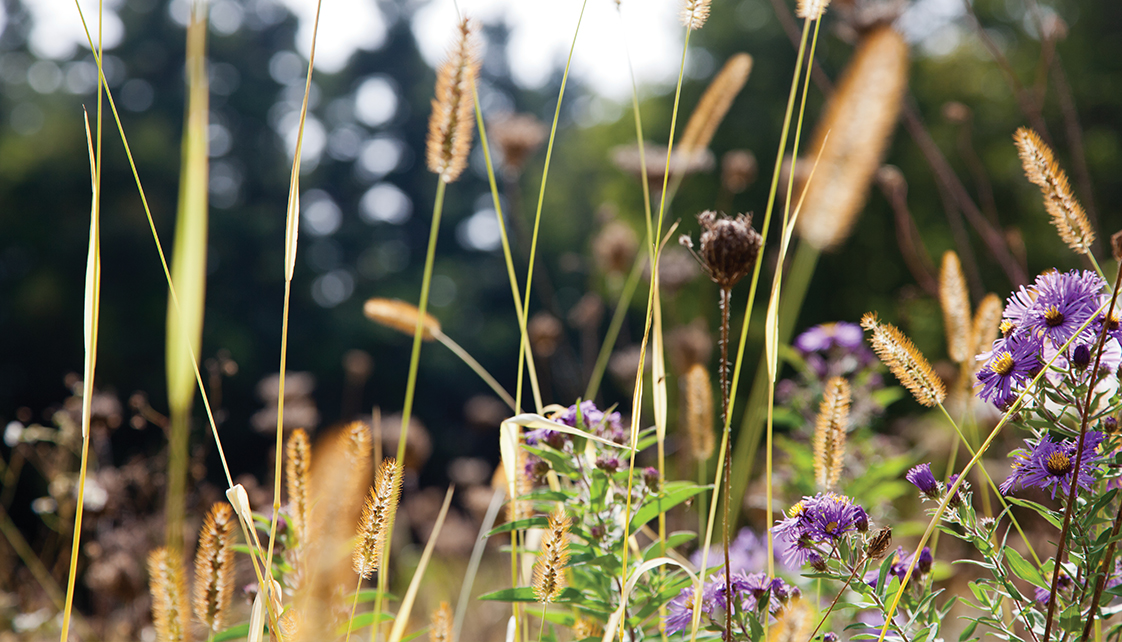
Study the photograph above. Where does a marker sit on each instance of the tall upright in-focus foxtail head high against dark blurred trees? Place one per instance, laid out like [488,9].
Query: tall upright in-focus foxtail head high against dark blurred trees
[452,124]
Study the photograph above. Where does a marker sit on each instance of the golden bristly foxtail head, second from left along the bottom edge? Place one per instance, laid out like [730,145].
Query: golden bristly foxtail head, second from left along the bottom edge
[214,591]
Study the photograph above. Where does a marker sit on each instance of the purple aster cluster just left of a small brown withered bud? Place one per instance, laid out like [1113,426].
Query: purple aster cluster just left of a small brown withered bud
[815,526]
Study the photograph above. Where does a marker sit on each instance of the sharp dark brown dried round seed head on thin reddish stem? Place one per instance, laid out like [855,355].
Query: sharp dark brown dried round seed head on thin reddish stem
[730,247]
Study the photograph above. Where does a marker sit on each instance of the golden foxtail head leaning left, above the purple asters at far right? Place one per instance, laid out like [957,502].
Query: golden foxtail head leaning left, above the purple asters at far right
[1068,215]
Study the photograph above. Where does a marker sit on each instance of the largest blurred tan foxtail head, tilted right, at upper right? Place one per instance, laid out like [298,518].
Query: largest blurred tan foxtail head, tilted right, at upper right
[859,120]
